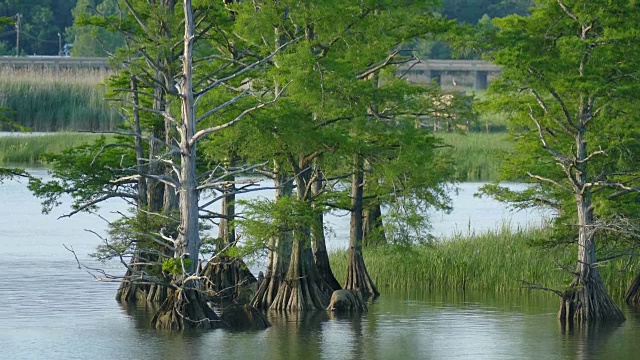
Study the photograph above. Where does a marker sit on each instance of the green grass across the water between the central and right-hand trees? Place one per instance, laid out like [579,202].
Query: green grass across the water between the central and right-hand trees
[476,155]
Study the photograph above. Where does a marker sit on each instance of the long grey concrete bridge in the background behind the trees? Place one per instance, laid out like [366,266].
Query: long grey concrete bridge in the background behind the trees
[421,71]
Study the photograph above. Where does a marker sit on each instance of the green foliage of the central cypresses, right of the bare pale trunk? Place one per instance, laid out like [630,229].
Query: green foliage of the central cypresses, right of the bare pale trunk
[332,109]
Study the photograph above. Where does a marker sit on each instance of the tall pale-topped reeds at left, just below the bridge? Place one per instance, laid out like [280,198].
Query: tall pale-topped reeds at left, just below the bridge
[56,100]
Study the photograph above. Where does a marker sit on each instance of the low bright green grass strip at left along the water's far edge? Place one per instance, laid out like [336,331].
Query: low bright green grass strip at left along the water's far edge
[27,149]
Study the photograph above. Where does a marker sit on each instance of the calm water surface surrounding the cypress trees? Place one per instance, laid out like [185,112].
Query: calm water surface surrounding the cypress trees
[53,310]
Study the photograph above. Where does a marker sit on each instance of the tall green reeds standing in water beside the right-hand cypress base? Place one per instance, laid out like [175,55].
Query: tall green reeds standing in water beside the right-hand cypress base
[494,262]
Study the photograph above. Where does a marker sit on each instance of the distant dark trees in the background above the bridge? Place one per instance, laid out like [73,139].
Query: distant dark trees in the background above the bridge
[42,20]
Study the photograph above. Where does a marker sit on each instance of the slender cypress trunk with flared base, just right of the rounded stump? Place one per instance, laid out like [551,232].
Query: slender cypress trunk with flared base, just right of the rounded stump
[357,275]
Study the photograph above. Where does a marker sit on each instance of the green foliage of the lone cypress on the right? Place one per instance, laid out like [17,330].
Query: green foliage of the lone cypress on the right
[554,68]
